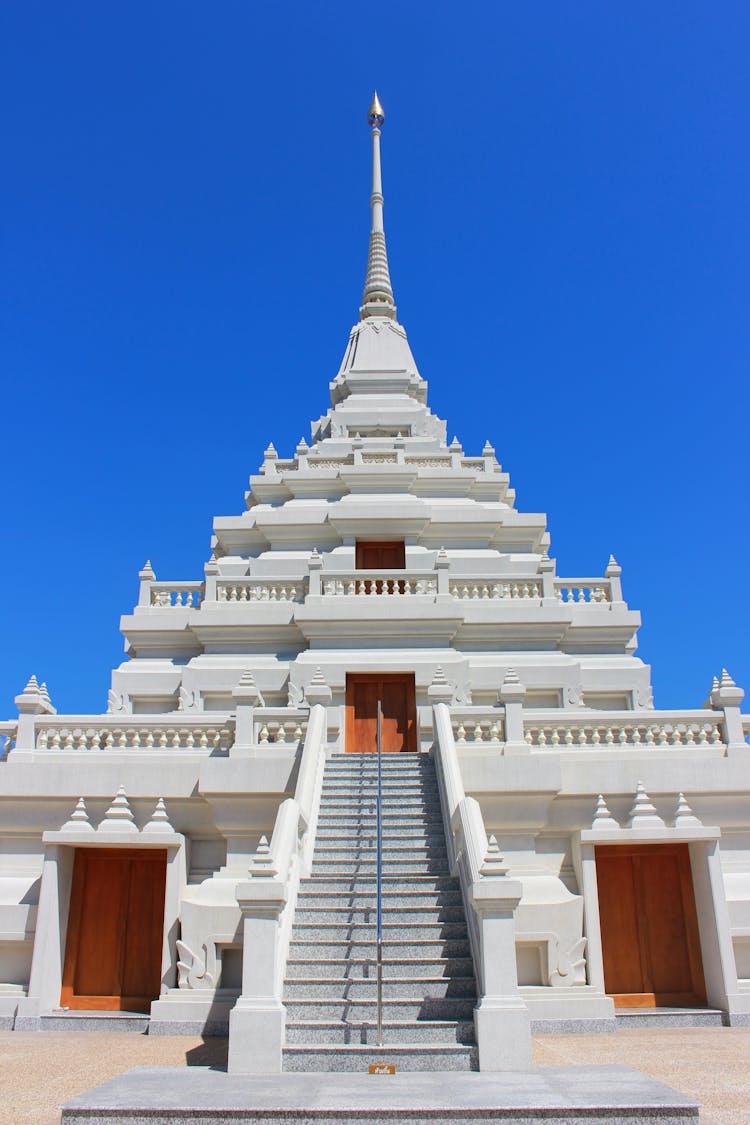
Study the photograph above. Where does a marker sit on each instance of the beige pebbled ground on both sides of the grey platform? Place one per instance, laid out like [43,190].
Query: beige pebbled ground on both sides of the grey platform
[40,1072]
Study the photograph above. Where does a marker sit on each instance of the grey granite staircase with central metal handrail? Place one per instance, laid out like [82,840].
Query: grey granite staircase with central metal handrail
[429,984]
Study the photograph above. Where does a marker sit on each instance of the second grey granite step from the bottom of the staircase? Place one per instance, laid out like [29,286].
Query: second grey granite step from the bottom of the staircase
[348,1032]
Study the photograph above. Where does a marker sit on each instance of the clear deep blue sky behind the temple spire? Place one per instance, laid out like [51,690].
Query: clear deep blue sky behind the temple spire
[185,212]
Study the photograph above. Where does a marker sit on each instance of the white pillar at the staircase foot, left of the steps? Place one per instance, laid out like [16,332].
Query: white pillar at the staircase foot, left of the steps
[257,1022]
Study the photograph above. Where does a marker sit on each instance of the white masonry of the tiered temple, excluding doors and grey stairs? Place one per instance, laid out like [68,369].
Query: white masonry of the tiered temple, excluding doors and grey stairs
[530,695]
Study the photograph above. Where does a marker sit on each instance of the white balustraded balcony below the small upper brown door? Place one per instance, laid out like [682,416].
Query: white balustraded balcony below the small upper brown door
[400,606]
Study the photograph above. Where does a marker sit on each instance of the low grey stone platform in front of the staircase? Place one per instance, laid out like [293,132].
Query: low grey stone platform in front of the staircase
[201,1096]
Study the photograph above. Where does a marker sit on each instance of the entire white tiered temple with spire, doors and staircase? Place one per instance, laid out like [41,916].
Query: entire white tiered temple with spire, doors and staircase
[557,853]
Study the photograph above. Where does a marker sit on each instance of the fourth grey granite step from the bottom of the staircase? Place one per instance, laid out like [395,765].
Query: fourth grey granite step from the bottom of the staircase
[394,988]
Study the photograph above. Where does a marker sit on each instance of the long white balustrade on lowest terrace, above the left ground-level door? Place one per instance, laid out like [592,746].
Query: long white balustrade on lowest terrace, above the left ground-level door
[87,733]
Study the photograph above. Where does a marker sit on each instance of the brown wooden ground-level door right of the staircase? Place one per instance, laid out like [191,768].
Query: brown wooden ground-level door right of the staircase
[650,942]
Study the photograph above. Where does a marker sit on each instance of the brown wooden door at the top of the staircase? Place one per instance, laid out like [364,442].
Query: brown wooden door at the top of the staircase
[399,727]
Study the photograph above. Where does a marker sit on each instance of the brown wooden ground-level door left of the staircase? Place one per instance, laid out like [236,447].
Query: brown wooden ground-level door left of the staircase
[114,950]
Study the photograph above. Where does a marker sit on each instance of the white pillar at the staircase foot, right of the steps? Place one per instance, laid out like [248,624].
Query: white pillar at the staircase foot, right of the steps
[501,1019]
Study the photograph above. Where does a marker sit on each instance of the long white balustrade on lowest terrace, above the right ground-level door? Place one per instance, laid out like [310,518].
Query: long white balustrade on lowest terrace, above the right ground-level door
[625,728]
